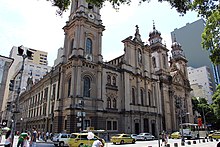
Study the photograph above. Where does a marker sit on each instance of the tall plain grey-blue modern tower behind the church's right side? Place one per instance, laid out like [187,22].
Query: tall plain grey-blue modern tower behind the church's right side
[189,36]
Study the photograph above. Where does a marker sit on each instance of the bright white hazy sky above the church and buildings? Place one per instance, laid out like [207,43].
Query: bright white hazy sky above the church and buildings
[34,24]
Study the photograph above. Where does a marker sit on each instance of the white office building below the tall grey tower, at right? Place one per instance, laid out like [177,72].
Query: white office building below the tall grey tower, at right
[200,81]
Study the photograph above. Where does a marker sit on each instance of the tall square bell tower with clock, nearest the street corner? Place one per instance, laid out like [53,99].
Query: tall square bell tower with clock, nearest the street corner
[83,32]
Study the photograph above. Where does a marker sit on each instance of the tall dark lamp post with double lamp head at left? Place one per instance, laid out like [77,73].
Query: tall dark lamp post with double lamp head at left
[16,101]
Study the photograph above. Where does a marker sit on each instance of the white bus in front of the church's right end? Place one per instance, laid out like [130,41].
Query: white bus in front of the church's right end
[192,131]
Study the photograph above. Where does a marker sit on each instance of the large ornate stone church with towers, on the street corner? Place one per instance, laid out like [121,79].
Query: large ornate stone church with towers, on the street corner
[139,91]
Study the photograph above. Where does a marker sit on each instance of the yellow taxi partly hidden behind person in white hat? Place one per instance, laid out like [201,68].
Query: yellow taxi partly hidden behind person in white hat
[81,140]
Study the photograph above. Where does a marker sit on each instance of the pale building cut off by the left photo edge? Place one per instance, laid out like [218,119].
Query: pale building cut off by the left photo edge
[5,64]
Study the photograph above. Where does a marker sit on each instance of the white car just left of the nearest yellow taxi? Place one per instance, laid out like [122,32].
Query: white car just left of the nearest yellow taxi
[61,139]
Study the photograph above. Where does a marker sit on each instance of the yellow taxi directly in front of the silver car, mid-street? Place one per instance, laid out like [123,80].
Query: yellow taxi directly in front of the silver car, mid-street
[122,138]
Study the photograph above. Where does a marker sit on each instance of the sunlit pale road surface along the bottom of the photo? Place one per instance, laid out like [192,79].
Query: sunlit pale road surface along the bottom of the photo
[152,144]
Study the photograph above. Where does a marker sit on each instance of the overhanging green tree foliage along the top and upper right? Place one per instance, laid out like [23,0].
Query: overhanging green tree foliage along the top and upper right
[208,9]
